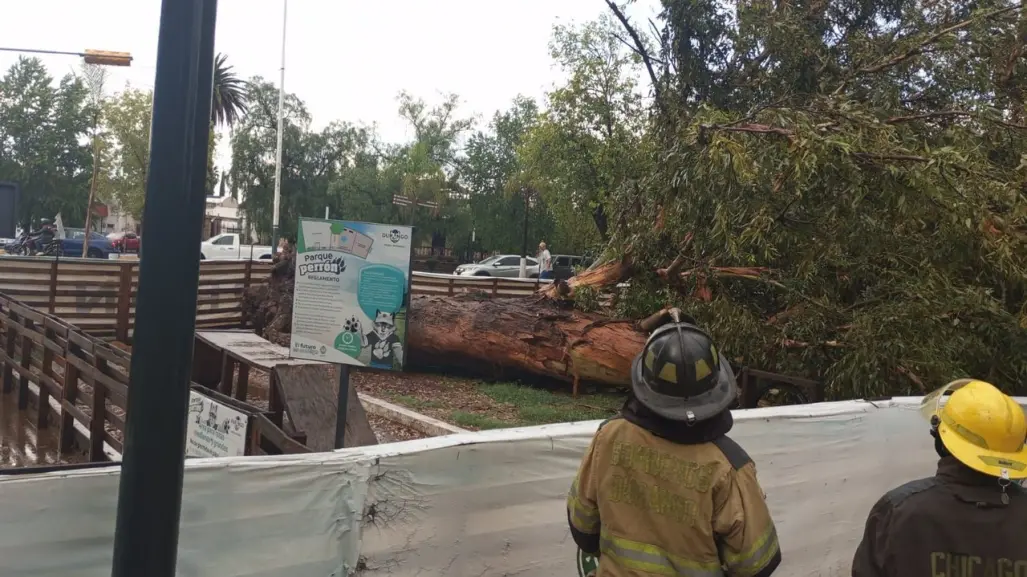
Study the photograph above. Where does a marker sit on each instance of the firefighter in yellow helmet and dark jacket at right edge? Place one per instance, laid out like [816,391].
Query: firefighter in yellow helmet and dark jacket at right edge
[971,518]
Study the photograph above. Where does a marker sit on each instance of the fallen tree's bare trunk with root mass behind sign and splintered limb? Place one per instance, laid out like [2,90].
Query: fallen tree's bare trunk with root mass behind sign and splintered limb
[534,336]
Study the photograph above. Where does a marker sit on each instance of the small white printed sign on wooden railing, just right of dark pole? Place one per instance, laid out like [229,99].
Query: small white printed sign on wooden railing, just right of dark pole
[215,430]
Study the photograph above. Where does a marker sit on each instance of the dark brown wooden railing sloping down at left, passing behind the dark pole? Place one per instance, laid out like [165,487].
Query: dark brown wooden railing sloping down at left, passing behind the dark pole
[63,377]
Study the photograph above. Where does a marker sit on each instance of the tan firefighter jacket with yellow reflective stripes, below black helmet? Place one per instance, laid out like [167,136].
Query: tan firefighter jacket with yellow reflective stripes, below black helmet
[683,502]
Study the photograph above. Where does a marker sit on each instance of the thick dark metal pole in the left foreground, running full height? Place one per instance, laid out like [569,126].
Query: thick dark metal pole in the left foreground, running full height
[150,494]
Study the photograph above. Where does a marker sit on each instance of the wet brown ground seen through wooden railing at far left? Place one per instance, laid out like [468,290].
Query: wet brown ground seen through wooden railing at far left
[21,444]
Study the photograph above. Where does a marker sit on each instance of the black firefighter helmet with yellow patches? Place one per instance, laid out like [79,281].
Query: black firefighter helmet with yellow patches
[681,376]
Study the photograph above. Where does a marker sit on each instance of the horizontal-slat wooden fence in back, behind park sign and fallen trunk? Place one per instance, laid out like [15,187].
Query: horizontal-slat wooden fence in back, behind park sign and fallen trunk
[100,296]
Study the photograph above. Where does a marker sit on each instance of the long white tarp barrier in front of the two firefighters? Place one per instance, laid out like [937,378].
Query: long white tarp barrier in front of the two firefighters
[478,505]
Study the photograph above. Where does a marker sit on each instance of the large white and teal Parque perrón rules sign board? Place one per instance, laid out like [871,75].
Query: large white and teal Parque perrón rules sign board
[352,293]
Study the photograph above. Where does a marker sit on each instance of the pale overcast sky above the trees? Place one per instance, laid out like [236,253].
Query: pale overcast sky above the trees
[347,59]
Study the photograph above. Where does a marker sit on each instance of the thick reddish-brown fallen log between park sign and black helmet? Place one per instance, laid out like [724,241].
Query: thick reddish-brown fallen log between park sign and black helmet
[523,336]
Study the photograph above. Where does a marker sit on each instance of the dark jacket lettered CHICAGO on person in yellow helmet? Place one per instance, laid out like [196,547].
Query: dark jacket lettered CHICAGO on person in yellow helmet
[952,525]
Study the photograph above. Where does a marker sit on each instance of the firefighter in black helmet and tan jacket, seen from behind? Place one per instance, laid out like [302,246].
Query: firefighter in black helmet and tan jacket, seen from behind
[662,490]
